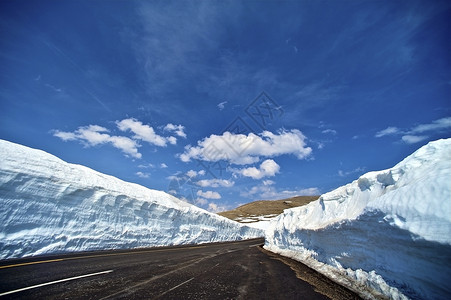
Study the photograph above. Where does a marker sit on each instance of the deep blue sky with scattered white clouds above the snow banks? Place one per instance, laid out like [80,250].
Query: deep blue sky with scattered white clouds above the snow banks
[226,102]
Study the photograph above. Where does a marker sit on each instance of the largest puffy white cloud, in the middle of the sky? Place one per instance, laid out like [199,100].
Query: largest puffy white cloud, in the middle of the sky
[246,149]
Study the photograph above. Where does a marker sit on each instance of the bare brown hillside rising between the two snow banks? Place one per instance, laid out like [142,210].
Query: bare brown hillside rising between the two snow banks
[267,207]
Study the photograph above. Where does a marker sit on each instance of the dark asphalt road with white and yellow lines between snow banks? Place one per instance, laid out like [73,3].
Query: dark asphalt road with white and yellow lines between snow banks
[235,270]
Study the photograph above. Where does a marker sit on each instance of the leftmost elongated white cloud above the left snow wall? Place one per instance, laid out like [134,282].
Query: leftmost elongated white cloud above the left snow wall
[94,135]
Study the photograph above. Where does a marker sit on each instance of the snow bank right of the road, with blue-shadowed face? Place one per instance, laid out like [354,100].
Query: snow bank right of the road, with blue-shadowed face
[387,234]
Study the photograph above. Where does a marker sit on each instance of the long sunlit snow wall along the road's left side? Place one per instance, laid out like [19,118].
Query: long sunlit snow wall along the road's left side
[48,205]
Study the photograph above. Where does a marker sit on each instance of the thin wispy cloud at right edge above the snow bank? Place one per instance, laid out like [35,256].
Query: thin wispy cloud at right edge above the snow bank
[417,133]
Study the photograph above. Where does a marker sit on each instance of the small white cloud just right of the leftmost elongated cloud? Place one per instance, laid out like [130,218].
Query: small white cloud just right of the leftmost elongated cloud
[142,131]
